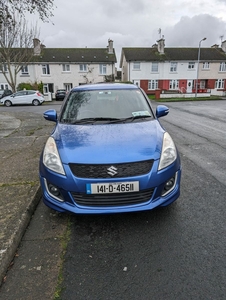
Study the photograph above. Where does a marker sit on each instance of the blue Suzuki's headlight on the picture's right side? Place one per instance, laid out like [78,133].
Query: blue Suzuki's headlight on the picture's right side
[169,152]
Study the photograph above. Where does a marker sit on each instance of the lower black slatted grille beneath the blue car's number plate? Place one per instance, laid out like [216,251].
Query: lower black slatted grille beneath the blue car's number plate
[113,199]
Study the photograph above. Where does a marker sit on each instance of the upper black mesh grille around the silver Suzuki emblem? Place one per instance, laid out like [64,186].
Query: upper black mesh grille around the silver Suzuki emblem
[101,170]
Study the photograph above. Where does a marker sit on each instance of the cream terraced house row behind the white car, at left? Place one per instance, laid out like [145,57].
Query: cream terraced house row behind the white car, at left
[64,68]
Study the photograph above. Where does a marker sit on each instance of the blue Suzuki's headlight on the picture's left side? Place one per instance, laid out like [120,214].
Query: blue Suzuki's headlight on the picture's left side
[51,158]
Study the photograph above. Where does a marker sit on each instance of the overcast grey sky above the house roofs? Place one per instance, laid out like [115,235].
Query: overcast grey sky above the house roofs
[130,23]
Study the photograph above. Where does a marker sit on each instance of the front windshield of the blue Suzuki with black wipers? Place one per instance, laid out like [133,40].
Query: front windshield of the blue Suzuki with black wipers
[106,106]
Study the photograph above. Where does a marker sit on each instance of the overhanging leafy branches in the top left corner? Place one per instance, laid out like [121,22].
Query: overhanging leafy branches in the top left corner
[42,7]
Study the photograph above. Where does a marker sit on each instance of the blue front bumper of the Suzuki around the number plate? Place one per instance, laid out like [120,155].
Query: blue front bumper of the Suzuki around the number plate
[70,187]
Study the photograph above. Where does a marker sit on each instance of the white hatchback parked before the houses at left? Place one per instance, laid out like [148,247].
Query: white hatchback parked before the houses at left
[24,97]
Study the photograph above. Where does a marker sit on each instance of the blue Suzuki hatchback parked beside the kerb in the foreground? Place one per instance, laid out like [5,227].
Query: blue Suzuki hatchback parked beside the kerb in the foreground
[108,153]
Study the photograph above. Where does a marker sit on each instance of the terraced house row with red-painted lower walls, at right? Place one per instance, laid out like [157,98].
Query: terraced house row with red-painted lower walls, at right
[175,70]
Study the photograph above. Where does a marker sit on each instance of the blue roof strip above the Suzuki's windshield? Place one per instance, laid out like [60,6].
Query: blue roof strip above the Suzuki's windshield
[105,86]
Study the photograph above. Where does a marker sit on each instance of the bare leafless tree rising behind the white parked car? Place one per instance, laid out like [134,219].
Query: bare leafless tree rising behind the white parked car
[16,46]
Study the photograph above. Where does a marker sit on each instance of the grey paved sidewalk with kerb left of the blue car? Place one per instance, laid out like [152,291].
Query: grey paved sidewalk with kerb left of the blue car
[22,137]
